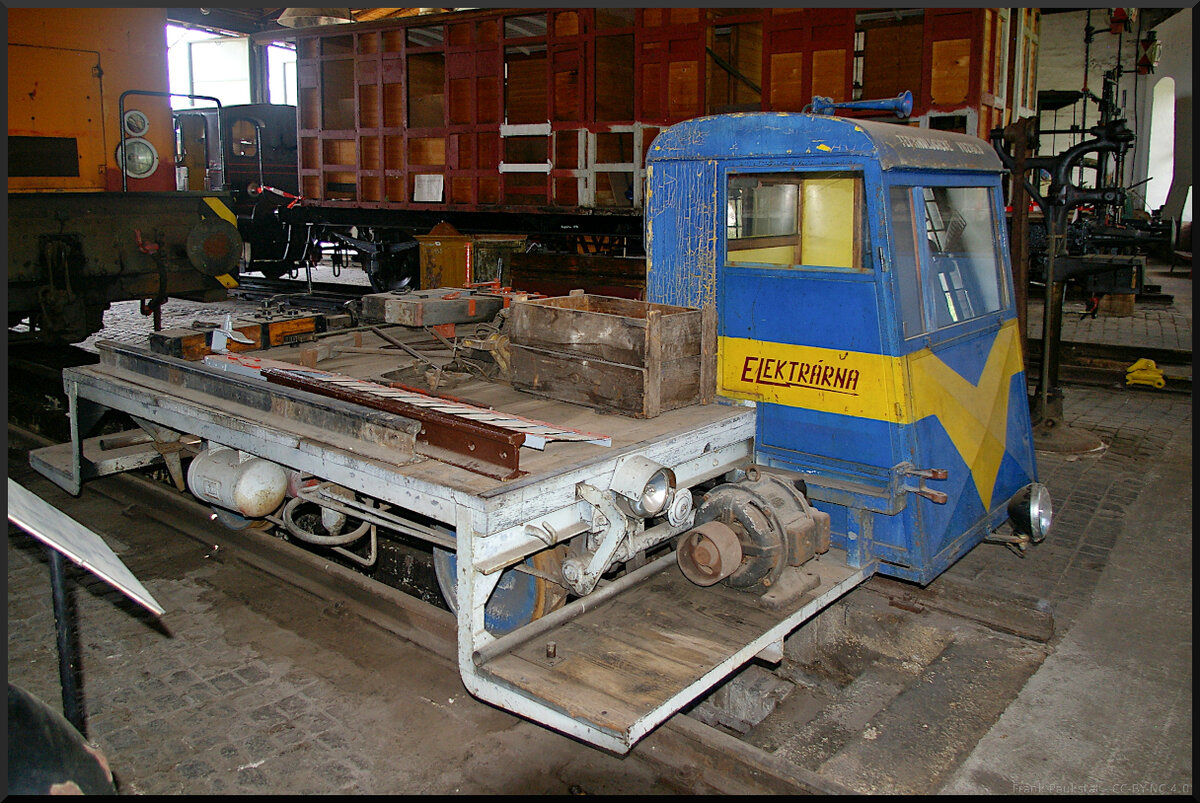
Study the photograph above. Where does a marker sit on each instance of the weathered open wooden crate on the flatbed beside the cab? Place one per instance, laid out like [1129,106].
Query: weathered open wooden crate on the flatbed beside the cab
[622,356]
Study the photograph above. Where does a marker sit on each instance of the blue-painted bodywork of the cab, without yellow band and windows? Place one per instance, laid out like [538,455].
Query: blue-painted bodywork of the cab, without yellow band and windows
[688,170]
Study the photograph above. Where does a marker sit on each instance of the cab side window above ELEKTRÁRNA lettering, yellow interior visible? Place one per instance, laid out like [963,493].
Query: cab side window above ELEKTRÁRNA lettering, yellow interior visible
[797,220]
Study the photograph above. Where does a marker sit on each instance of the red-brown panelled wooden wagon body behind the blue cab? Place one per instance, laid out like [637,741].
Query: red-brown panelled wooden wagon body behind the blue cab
[555,110]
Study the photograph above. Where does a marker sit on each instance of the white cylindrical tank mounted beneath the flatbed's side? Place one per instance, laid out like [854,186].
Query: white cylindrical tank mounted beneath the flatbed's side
[253,487]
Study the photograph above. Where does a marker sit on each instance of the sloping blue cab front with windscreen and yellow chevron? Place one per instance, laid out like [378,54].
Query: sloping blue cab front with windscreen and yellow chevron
[967,403]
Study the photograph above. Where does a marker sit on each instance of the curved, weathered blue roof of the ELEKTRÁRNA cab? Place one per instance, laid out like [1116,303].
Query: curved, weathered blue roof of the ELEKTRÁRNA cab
[785,135]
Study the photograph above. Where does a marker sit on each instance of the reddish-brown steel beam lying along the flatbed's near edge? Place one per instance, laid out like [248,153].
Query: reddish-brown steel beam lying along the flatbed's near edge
[475,446]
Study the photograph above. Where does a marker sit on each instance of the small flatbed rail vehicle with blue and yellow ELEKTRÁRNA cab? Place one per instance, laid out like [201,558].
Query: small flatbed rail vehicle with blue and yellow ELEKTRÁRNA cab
[825,382]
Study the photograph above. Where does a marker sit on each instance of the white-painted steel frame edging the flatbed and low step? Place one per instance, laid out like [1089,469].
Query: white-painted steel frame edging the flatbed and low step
[494,530]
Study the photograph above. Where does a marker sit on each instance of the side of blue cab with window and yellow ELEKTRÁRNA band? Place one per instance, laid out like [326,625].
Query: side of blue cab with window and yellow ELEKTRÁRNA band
[803,335]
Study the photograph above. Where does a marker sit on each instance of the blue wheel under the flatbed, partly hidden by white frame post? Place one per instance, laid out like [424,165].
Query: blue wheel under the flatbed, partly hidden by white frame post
[519,598]
